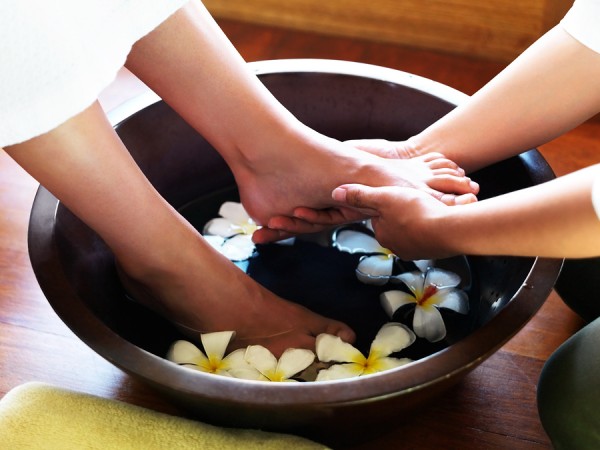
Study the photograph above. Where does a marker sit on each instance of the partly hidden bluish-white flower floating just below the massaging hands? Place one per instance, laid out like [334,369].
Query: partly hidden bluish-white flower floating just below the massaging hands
[377,264]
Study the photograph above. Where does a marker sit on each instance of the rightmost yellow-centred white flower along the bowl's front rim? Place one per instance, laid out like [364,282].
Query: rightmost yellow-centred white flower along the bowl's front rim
[392,337]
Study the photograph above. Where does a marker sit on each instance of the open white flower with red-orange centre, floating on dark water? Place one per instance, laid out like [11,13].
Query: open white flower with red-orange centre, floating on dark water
[431,290]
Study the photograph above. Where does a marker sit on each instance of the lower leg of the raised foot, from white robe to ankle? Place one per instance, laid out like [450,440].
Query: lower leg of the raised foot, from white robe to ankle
[191,64]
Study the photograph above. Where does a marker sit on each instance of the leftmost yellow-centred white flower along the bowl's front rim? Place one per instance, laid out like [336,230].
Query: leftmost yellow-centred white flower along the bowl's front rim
[214,361]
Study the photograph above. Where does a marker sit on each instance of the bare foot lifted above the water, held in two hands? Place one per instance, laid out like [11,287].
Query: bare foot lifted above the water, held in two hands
[299,173]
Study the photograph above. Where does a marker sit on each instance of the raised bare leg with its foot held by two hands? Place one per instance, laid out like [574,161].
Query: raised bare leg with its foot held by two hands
[191,65]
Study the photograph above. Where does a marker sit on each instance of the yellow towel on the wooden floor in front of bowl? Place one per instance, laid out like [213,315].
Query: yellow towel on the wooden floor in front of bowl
[42,417]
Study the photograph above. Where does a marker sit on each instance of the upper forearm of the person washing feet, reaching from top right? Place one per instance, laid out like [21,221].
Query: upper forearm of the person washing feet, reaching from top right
[549,89]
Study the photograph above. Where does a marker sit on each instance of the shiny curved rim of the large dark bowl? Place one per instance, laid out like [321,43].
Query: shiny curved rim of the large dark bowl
[415,376]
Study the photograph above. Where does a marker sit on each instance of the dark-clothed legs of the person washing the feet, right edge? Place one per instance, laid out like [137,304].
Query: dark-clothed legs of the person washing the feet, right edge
[569,387]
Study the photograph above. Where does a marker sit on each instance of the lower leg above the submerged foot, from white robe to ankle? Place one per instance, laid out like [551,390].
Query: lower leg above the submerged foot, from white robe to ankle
[84,164]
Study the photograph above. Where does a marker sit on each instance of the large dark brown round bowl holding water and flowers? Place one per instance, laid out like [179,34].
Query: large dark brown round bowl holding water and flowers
[75,269]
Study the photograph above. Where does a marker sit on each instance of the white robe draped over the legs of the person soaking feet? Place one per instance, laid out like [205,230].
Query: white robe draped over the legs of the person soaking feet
[57,57]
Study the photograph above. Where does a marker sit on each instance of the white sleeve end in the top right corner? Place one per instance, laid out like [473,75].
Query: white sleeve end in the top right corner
[583,23]
